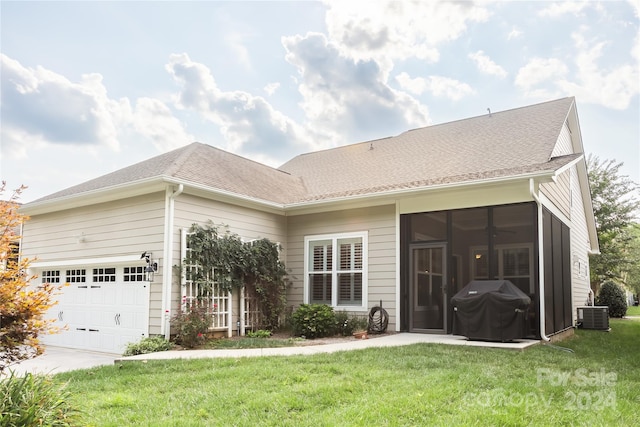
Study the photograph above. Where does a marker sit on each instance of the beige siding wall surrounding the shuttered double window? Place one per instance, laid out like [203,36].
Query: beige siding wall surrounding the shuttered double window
[378,221]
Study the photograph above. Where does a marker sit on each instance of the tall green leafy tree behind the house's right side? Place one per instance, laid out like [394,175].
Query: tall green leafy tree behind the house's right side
[615,204]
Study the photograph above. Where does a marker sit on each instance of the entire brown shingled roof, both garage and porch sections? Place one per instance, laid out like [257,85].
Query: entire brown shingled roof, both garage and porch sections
[500,145]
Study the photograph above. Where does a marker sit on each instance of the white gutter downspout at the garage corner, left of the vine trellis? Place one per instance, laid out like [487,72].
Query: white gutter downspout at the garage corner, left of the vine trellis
[168,259]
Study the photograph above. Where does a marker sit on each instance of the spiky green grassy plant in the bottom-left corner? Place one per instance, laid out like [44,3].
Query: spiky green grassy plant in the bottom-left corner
[35,400]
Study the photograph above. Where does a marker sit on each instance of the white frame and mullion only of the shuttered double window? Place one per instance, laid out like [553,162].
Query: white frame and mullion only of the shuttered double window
[364,235]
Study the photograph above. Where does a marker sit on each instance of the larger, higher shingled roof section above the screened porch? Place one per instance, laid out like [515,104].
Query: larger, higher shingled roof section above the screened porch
[509,143]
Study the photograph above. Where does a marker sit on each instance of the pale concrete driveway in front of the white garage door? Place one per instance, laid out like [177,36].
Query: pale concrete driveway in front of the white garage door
[57,359]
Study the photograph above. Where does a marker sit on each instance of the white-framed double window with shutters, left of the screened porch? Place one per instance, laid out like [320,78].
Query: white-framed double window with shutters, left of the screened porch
[336,270]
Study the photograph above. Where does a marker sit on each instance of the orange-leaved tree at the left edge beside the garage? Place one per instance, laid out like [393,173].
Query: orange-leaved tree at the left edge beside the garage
[22,308]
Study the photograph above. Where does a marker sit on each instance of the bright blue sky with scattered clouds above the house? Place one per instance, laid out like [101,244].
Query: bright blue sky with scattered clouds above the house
[90,87]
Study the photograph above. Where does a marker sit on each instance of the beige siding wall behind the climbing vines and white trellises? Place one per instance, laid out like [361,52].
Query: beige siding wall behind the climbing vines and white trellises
[247,223]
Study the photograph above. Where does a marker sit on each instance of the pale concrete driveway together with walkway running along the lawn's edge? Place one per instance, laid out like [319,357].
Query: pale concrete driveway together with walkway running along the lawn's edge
[57,359]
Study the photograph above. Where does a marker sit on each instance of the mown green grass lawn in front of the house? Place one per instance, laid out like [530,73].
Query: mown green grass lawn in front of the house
[597,384]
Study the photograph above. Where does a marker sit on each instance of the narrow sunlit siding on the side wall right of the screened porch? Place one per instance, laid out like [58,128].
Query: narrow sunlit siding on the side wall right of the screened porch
[579,247]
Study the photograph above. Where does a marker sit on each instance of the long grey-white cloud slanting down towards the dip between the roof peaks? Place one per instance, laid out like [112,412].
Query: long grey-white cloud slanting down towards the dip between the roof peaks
[249,124]
